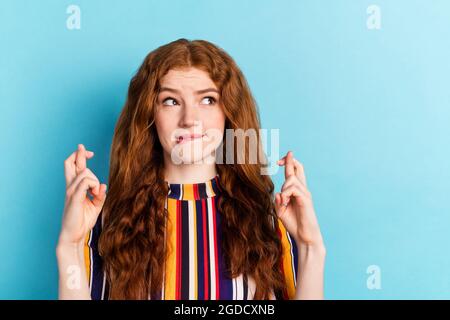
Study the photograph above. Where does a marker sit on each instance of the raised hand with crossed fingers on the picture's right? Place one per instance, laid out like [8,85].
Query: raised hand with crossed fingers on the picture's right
[294,205]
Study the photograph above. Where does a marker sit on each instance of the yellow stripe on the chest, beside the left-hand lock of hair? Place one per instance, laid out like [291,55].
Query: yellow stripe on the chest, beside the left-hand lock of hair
[169,287]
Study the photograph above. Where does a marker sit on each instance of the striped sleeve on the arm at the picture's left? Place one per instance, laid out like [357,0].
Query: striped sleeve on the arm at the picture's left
[94,264]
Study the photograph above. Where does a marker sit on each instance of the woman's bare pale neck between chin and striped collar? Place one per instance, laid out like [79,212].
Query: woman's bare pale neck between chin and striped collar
[188,173]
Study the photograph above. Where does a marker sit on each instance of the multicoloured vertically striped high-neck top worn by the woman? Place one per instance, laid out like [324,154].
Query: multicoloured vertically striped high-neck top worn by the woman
[194,266]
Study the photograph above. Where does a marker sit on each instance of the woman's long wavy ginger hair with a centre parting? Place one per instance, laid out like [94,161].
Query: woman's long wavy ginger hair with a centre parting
[132,240]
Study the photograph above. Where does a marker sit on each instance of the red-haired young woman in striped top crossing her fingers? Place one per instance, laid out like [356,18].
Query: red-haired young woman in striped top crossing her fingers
[181,225]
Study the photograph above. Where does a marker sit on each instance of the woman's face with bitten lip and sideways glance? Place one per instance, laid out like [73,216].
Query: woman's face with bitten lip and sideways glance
[189,118]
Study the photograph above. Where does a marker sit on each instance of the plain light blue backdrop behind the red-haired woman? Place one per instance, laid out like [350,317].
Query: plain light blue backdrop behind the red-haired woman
[366,110]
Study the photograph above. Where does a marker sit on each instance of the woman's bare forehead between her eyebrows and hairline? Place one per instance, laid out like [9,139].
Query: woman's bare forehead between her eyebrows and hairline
[191,78]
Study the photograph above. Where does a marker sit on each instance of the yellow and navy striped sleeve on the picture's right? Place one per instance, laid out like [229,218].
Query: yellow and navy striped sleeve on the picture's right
[289,261]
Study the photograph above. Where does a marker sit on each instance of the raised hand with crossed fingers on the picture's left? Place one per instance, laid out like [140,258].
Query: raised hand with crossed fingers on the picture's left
[80,212]
